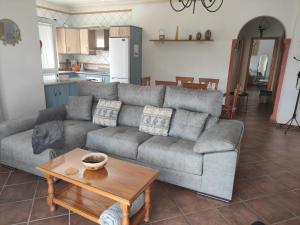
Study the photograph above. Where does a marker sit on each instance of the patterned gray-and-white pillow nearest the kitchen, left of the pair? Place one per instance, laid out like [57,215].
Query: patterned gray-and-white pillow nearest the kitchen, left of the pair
[106,113]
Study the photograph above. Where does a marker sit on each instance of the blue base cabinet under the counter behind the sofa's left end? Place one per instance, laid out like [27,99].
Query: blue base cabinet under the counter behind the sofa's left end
[58,94]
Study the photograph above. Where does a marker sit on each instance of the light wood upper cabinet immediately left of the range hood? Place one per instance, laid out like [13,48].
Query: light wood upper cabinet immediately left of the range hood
[87,41]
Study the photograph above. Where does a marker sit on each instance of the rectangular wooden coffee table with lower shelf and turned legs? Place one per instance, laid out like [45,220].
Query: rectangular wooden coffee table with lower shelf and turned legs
[89,193]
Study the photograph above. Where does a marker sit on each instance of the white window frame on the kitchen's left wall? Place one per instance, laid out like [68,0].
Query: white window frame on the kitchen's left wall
[54,26]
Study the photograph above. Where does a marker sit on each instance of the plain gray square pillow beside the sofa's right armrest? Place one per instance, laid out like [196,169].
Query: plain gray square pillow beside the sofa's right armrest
[187,125]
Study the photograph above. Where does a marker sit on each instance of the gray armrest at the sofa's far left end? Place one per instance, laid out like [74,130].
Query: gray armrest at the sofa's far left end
[15,126]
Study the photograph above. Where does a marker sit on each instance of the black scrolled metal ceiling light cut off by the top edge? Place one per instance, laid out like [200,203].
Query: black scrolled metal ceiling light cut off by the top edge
[209,5]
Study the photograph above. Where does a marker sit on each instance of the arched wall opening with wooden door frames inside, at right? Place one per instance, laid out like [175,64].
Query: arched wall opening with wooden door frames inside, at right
[254,31]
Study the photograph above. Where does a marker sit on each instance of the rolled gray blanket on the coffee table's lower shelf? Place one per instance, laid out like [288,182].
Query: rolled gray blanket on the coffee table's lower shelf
[113,215]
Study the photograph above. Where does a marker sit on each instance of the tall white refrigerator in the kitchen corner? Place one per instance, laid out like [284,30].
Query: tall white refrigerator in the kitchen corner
[119,56]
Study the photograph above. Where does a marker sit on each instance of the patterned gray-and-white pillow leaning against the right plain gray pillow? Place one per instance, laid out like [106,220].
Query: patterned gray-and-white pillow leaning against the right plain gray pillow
[156,121]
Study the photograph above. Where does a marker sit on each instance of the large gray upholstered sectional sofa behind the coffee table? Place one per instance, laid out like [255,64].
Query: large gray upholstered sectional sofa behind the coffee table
[206,165]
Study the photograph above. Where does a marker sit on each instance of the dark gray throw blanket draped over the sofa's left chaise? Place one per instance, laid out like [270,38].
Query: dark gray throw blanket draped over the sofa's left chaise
[49,130]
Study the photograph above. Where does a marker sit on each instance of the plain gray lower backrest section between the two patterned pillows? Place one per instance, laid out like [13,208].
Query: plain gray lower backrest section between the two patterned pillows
[130,115]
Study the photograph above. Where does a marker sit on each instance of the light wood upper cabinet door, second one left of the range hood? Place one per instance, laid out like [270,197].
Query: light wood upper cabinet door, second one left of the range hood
[73,41]
